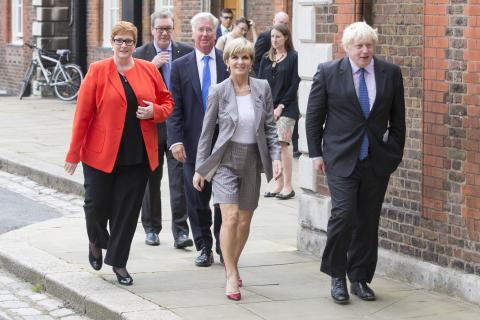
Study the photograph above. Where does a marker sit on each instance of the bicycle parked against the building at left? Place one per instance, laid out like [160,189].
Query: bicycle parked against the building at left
[64,77]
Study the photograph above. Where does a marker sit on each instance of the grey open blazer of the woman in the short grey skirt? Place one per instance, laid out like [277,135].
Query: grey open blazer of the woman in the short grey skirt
[222,109]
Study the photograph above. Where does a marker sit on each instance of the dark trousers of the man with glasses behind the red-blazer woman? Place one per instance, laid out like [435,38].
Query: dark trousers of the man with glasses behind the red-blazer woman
[152,203]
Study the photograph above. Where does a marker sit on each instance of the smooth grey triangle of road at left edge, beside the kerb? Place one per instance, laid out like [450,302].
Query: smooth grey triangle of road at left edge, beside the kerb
[17,211]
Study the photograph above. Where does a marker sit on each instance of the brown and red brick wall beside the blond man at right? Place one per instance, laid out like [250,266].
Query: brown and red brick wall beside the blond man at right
[432,206]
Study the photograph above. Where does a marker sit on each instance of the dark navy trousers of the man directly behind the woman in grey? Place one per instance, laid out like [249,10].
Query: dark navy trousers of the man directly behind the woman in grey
[199,213]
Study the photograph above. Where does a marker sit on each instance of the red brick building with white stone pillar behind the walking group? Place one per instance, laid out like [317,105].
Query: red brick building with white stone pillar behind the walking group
[432,209]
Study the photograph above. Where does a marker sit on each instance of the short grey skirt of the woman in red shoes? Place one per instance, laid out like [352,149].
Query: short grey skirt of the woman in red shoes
[237,179]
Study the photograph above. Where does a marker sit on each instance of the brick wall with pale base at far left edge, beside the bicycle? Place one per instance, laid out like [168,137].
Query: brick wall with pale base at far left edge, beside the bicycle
[15,58]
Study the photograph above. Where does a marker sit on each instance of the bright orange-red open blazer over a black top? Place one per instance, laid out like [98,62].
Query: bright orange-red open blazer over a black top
[101,109]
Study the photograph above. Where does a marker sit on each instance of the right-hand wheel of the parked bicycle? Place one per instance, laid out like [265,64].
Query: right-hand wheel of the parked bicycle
[66,81]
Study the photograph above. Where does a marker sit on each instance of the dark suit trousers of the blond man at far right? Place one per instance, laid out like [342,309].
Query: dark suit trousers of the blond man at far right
[352,233]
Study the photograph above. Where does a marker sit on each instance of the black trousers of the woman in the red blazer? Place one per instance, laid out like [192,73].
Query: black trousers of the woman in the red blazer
[115,199]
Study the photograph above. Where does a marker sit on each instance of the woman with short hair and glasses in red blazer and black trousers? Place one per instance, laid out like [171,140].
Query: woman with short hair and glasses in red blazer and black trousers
[115,137]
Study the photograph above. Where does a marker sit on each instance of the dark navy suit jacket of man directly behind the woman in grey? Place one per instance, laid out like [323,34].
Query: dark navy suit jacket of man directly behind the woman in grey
[185,123]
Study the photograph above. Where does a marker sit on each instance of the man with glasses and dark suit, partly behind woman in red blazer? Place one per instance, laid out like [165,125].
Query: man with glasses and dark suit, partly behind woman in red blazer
[162,51]
